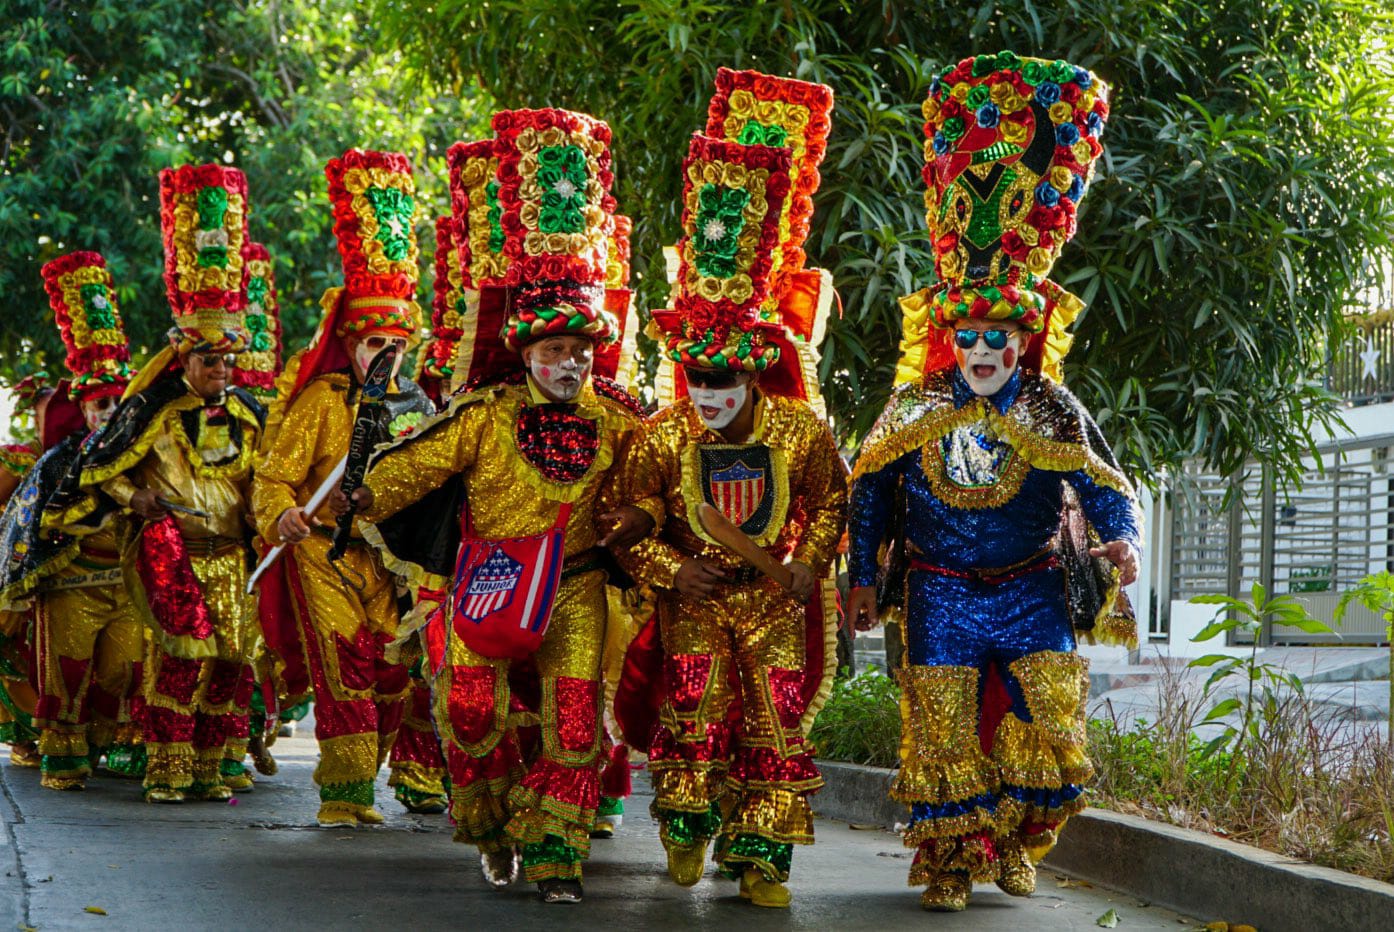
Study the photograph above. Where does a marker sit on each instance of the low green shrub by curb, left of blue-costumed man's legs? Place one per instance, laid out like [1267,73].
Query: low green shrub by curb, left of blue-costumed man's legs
[862,721]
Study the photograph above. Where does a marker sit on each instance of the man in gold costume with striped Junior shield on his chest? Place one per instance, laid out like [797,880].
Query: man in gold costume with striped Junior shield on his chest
[746,444]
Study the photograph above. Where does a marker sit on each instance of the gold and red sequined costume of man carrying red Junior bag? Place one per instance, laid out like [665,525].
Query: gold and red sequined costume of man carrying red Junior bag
[498,799]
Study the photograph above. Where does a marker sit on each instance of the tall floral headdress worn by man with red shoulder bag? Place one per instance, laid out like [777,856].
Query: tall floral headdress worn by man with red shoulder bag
[557,215]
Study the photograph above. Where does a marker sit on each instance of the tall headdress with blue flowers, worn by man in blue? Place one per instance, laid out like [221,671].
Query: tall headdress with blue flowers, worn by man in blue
[1011,147]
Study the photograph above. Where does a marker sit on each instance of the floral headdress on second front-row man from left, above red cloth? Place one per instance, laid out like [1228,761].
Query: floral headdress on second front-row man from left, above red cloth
[204,225]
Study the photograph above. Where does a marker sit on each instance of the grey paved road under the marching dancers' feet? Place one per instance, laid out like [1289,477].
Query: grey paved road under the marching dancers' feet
[263,864]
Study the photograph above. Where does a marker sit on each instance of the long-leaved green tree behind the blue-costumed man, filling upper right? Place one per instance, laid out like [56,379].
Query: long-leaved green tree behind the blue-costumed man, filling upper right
[1247,193]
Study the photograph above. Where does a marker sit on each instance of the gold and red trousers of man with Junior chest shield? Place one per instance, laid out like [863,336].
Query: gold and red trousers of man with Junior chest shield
[744,778]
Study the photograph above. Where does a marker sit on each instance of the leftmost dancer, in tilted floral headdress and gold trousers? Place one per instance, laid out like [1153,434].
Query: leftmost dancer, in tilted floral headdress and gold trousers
[89,640]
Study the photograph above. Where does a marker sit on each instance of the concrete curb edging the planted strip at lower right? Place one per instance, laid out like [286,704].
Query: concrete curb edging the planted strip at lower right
[1181,870]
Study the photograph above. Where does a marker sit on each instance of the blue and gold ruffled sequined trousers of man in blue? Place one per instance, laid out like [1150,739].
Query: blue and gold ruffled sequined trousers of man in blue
[979,791]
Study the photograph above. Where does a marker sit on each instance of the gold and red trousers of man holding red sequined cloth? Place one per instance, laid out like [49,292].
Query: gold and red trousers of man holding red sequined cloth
[196,708]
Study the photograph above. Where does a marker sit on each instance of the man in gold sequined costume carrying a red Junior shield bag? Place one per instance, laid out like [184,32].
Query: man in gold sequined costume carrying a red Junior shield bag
[526,459]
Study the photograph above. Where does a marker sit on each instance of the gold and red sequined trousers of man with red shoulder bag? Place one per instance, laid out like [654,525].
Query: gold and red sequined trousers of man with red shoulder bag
[497,799]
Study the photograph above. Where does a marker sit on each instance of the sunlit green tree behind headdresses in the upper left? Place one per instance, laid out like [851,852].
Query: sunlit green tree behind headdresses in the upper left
[97,98]
